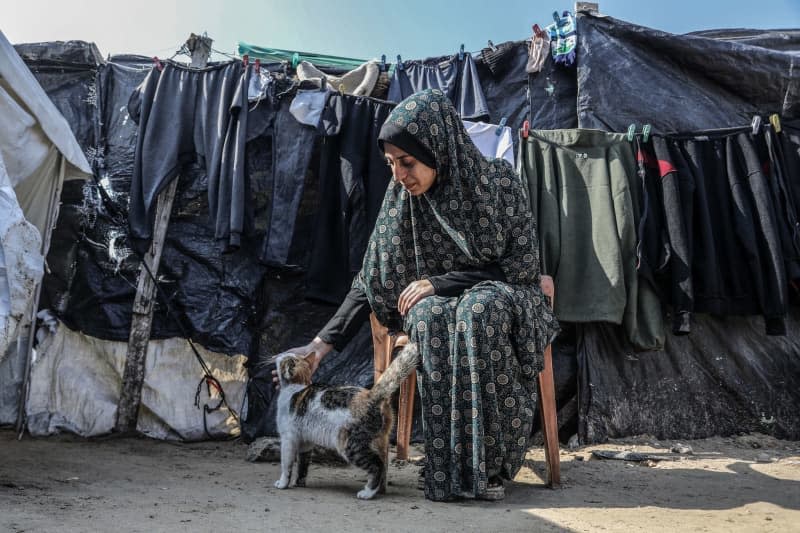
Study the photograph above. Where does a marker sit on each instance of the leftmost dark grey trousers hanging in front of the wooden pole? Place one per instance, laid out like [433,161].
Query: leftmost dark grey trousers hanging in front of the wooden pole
[191,115]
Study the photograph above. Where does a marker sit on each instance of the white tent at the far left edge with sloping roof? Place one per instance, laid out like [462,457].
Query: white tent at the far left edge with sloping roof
[38,153]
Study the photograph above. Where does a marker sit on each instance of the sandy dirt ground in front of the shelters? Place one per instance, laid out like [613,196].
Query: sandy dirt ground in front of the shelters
[64,483]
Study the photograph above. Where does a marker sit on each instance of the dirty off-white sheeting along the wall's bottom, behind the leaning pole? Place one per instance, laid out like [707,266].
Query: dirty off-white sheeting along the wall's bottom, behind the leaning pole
[76,381]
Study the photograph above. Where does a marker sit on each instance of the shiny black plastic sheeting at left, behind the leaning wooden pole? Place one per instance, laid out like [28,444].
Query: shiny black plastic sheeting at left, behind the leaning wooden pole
[92,279]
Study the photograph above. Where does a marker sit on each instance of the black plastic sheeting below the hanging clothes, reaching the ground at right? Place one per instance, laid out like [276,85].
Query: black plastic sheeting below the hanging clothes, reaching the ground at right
[726,377]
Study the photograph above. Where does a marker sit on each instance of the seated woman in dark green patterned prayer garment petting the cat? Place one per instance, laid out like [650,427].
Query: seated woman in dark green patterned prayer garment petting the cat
[454,262]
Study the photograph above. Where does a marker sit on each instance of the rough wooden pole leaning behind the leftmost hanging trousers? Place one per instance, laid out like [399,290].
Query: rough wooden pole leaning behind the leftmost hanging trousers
[142,320]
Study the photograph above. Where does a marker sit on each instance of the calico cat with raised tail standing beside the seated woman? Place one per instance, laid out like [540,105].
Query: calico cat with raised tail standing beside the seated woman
[351,420]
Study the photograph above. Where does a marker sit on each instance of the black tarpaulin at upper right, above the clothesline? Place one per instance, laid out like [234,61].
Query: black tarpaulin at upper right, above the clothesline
[682,83]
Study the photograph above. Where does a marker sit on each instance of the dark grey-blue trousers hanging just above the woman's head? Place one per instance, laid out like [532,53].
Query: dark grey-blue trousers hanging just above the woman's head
[457,78]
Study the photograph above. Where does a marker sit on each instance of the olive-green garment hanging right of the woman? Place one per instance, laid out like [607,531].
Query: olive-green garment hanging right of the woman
[579,183]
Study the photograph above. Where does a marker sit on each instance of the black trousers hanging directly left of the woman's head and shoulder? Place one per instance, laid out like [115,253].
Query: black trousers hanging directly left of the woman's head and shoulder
[353,180]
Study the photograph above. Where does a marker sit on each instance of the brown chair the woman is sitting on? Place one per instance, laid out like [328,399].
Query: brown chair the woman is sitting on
[385,344]
